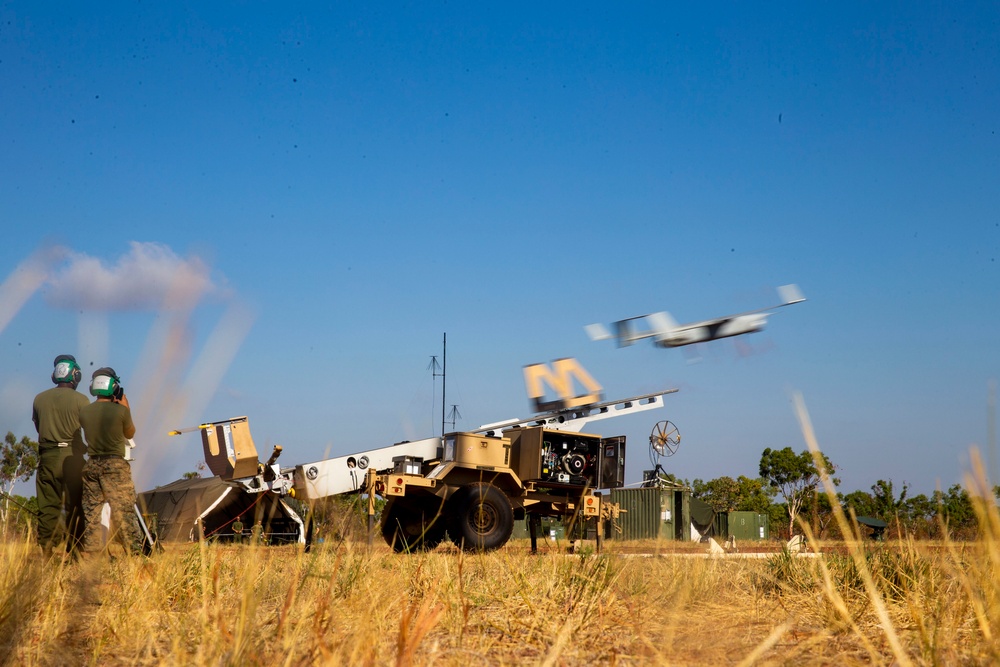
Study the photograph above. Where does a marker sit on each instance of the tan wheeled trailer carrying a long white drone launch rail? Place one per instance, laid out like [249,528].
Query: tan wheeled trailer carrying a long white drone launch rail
[469,487]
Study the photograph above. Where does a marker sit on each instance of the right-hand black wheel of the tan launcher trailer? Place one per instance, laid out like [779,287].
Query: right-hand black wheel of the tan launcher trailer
[482,518]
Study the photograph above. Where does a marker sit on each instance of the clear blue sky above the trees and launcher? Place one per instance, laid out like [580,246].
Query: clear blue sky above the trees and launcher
[343,185]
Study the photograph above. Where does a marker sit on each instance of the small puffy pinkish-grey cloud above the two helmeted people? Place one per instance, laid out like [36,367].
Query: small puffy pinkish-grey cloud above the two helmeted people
[150,276]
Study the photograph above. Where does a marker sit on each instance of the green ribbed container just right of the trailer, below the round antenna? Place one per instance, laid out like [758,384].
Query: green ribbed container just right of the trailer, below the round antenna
[652,514]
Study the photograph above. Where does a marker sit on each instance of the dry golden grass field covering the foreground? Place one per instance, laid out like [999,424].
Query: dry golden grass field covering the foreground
[855,603]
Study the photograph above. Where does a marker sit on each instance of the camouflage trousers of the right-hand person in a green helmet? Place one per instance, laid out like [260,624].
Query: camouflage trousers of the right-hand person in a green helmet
[108,479]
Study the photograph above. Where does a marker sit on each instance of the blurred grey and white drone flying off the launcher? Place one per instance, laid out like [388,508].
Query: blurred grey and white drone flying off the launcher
[666,332]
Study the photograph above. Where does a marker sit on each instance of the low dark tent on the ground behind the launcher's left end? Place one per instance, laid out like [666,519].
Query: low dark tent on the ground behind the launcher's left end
[184,510]
